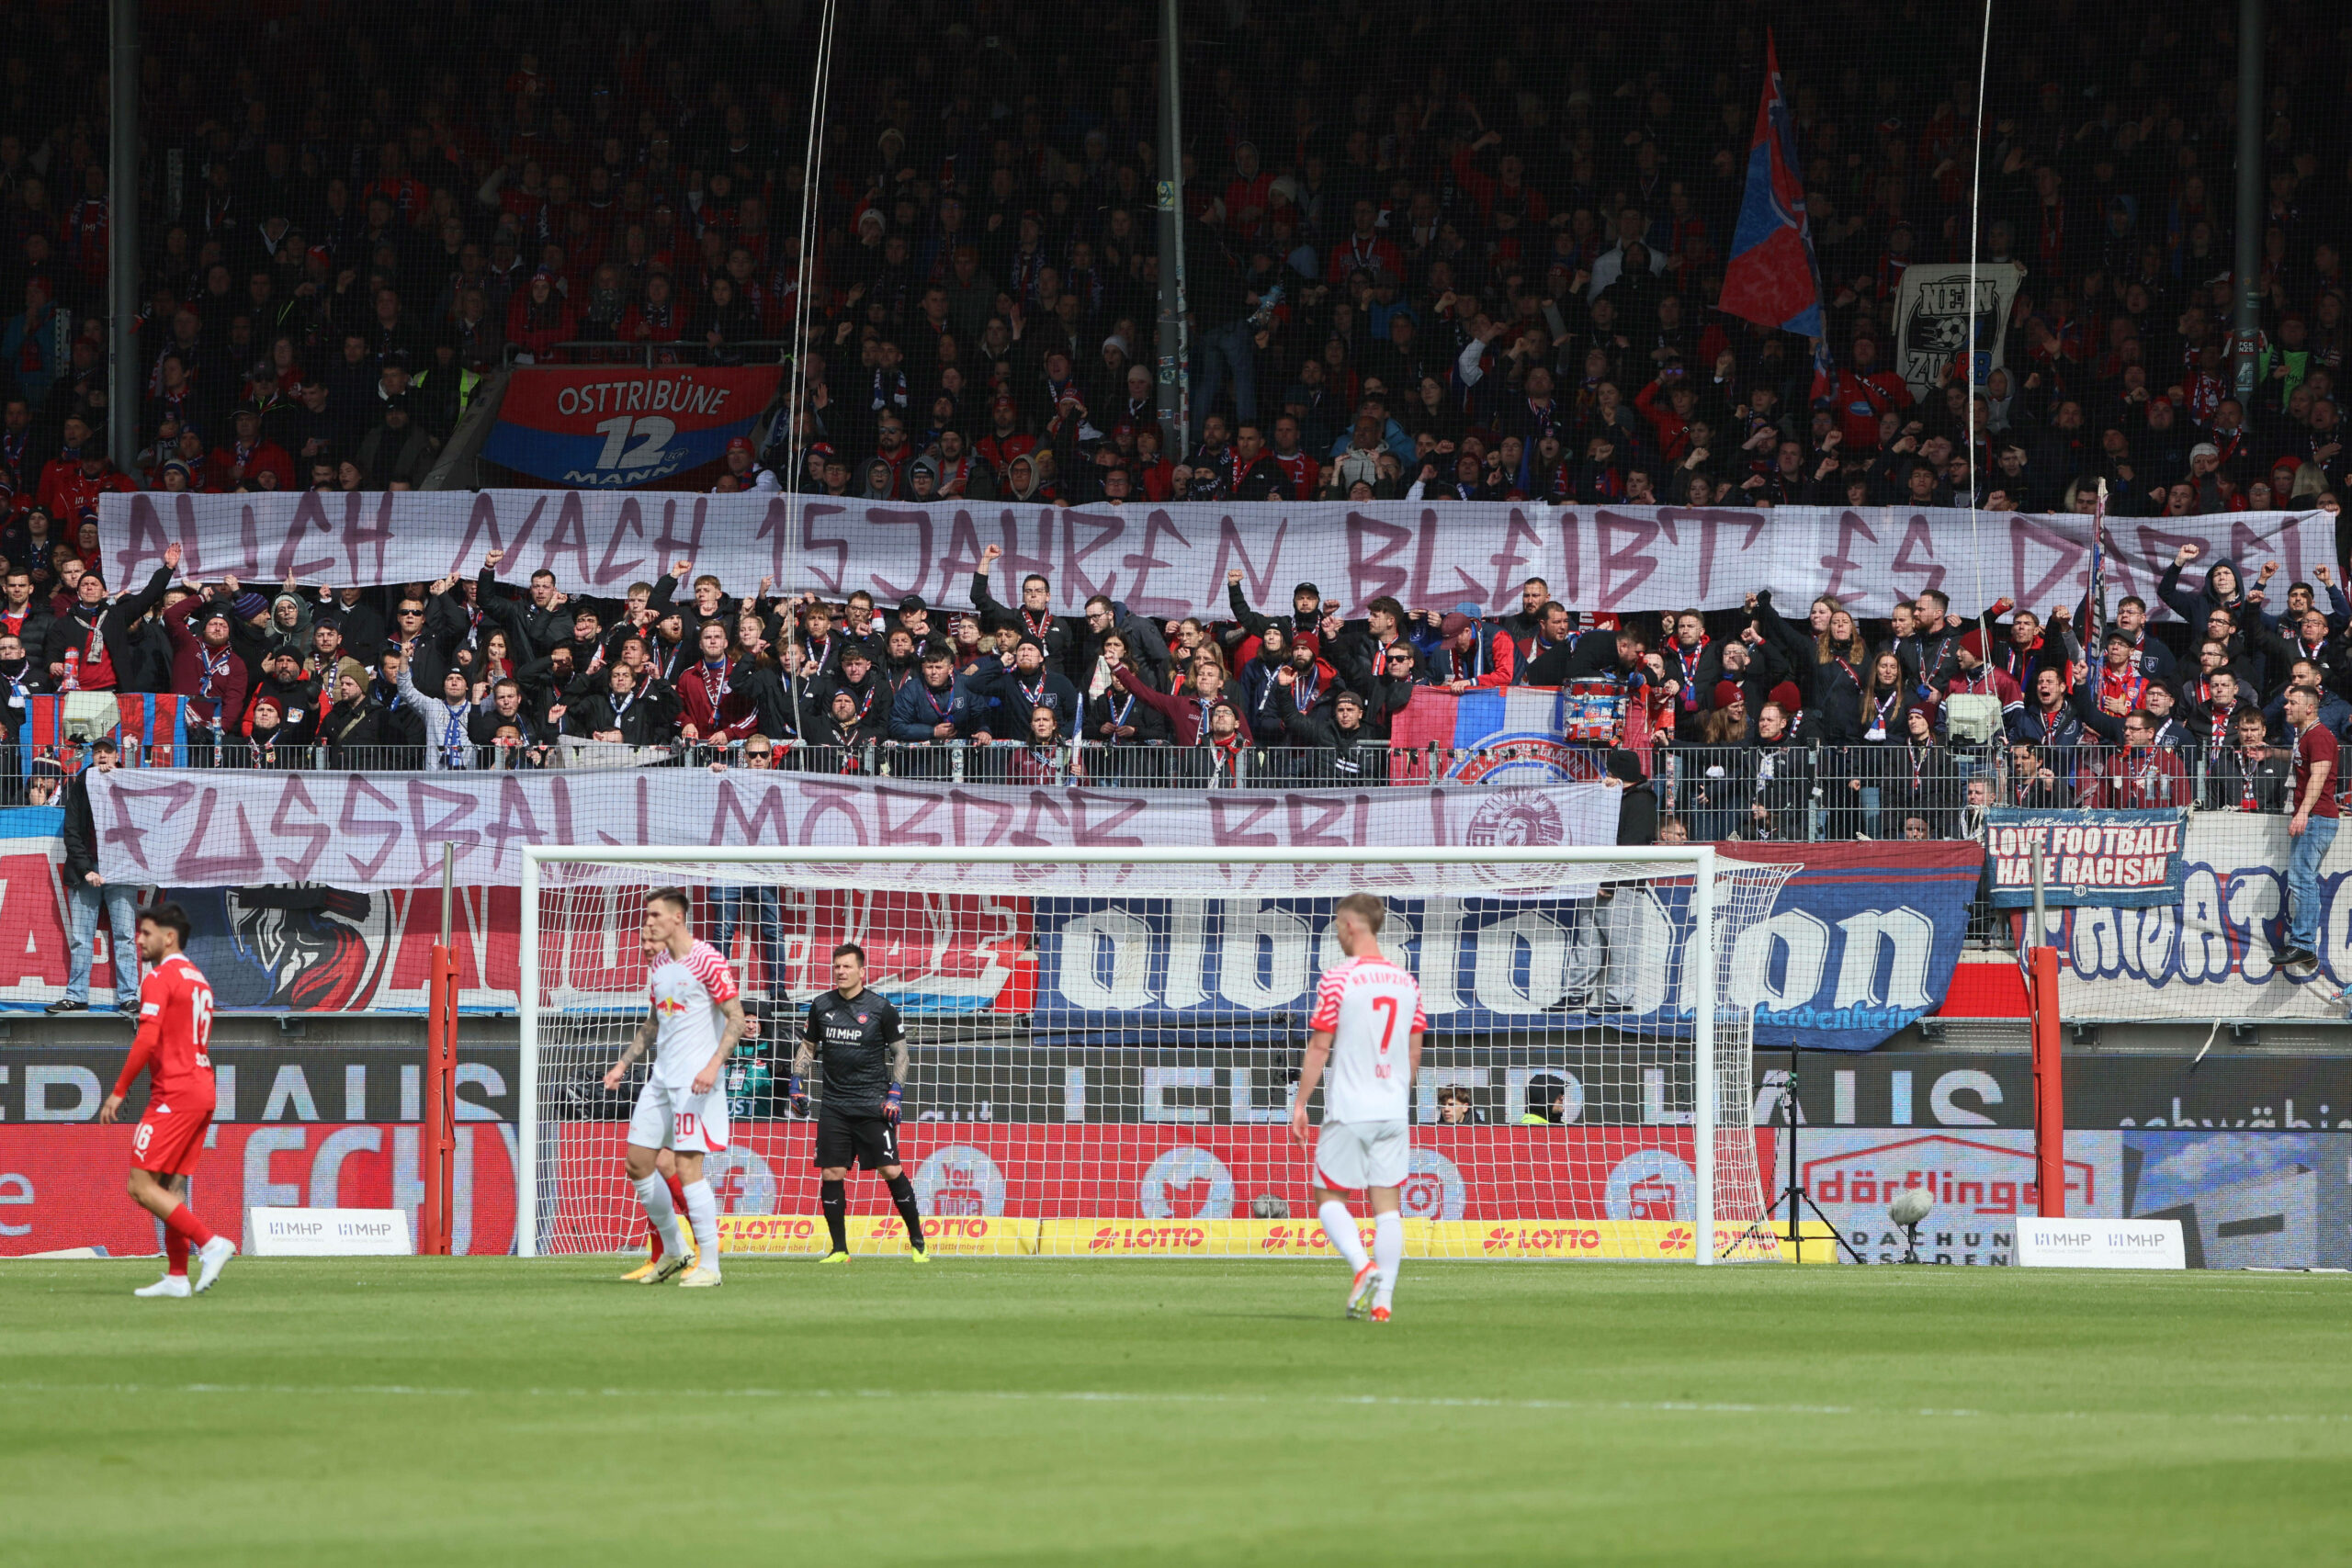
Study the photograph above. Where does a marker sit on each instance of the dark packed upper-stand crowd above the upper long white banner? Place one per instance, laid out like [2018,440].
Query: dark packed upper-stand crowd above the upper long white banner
[1429,255]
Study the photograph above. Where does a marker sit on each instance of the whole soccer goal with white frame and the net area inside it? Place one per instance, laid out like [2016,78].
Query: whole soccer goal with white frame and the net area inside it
[1104,1045]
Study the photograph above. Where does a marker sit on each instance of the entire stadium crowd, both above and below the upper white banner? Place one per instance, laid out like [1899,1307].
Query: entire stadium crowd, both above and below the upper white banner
[1426,257]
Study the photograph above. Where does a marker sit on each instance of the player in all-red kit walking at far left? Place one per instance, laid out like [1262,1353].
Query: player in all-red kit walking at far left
[175,1047]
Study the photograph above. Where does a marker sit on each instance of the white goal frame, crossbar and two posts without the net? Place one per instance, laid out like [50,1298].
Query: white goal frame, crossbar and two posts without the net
[1699,862]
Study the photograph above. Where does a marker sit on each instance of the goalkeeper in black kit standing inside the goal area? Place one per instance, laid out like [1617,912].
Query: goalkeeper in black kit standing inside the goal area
[864,1047]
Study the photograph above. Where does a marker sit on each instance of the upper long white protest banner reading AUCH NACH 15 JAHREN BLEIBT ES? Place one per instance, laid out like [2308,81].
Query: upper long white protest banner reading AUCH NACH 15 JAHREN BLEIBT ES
[1172,561]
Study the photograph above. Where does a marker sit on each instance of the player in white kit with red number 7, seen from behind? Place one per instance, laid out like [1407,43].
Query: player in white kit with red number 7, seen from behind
[1368,1028]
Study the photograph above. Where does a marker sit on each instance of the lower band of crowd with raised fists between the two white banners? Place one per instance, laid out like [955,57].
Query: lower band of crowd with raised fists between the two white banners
[1784,730]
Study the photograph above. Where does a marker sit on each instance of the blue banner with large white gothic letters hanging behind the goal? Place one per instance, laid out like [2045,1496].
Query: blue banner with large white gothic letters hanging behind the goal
[1862,942]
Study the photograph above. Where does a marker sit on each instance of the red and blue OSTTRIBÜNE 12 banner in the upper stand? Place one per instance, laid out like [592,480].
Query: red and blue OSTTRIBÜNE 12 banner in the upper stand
[610,427]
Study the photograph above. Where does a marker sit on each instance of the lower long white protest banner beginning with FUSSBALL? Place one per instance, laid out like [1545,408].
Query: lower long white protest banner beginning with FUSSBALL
[387,831]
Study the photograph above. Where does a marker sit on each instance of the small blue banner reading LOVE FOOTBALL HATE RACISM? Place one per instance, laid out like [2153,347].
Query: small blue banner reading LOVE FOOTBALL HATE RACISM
[2116,859]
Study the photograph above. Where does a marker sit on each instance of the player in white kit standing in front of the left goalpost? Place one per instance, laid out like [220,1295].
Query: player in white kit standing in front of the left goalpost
[693,1024]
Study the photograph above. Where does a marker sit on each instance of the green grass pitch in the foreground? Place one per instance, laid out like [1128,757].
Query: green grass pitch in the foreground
[417,1412]
